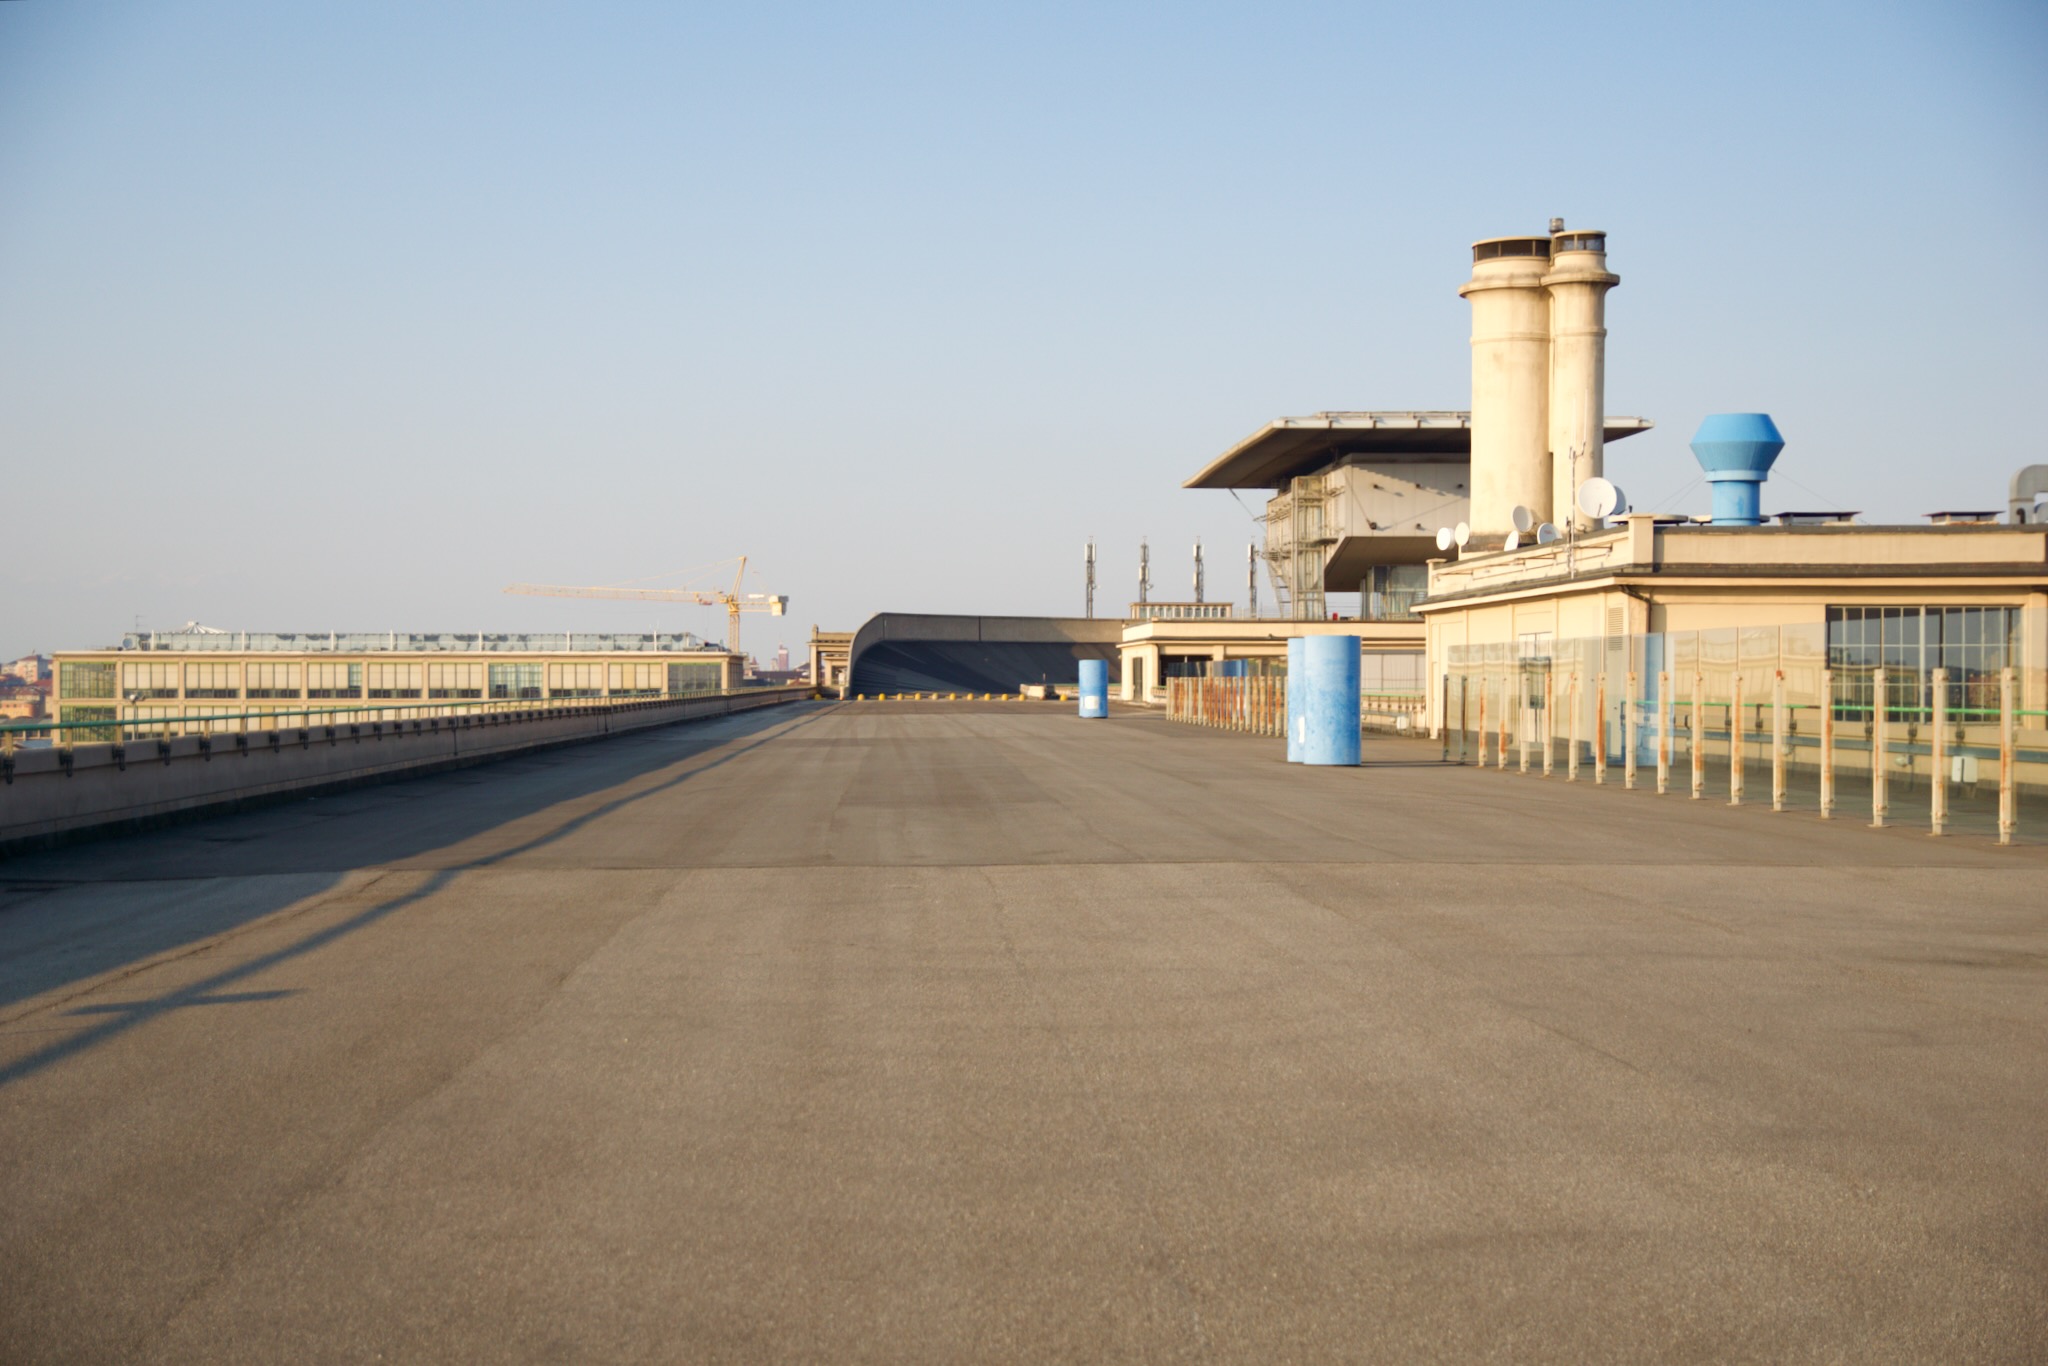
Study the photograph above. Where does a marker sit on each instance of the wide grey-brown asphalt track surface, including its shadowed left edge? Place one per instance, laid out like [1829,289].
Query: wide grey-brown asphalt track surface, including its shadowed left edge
[935,1033]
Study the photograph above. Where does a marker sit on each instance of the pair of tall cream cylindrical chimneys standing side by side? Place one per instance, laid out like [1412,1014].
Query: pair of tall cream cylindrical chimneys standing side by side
[1539,374]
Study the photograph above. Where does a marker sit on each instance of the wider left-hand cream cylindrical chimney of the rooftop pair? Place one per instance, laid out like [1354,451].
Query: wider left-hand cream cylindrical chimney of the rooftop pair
[1510,382]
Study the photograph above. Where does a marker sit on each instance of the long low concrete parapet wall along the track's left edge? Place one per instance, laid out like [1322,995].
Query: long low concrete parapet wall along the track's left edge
[52,796]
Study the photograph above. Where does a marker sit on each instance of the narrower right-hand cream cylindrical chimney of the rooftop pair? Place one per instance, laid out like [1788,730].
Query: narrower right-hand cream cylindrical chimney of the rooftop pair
[1578,284]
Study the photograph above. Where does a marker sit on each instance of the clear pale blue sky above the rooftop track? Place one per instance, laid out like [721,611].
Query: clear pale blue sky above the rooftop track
[347,316]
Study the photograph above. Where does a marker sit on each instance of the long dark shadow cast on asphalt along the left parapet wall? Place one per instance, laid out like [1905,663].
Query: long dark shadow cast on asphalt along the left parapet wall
[54,931]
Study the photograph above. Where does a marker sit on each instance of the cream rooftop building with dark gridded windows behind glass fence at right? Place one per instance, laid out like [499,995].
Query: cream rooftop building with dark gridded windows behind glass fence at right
[1674,605]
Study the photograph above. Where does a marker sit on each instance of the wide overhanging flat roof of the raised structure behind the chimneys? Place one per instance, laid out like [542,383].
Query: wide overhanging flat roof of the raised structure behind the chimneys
[1289,447]
